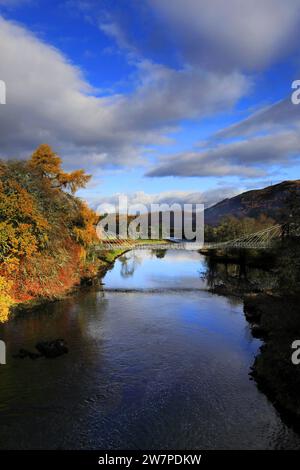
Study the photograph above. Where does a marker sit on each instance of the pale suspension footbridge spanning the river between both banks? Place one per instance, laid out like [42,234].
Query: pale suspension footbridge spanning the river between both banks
[262,239]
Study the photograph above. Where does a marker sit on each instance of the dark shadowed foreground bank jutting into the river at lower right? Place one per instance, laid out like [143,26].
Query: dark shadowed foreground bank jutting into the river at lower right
[276,320]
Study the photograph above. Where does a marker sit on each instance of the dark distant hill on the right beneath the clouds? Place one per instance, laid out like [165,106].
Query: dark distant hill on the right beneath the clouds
[269,201]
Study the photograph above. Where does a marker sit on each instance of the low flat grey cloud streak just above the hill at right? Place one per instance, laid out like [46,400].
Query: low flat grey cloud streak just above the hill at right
[252,157]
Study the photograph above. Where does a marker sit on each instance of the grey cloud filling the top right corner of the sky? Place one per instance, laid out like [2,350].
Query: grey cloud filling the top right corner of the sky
[230,34]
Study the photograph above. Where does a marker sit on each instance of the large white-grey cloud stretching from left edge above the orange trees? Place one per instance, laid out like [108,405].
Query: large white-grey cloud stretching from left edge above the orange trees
[48,100]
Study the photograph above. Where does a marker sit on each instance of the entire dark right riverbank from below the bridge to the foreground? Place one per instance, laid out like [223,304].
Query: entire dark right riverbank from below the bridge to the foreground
[271,306]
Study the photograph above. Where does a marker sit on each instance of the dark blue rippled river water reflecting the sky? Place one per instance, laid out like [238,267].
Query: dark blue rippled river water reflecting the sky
[155,362]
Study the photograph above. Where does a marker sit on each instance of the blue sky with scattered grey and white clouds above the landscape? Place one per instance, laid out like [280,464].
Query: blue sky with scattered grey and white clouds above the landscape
[162,100]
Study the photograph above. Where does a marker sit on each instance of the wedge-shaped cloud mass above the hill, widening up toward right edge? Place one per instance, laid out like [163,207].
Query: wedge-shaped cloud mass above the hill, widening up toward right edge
[249,148]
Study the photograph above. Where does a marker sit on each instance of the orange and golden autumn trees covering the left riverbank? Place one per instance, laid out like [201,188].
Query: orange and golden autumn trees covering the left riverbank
[45,231]
